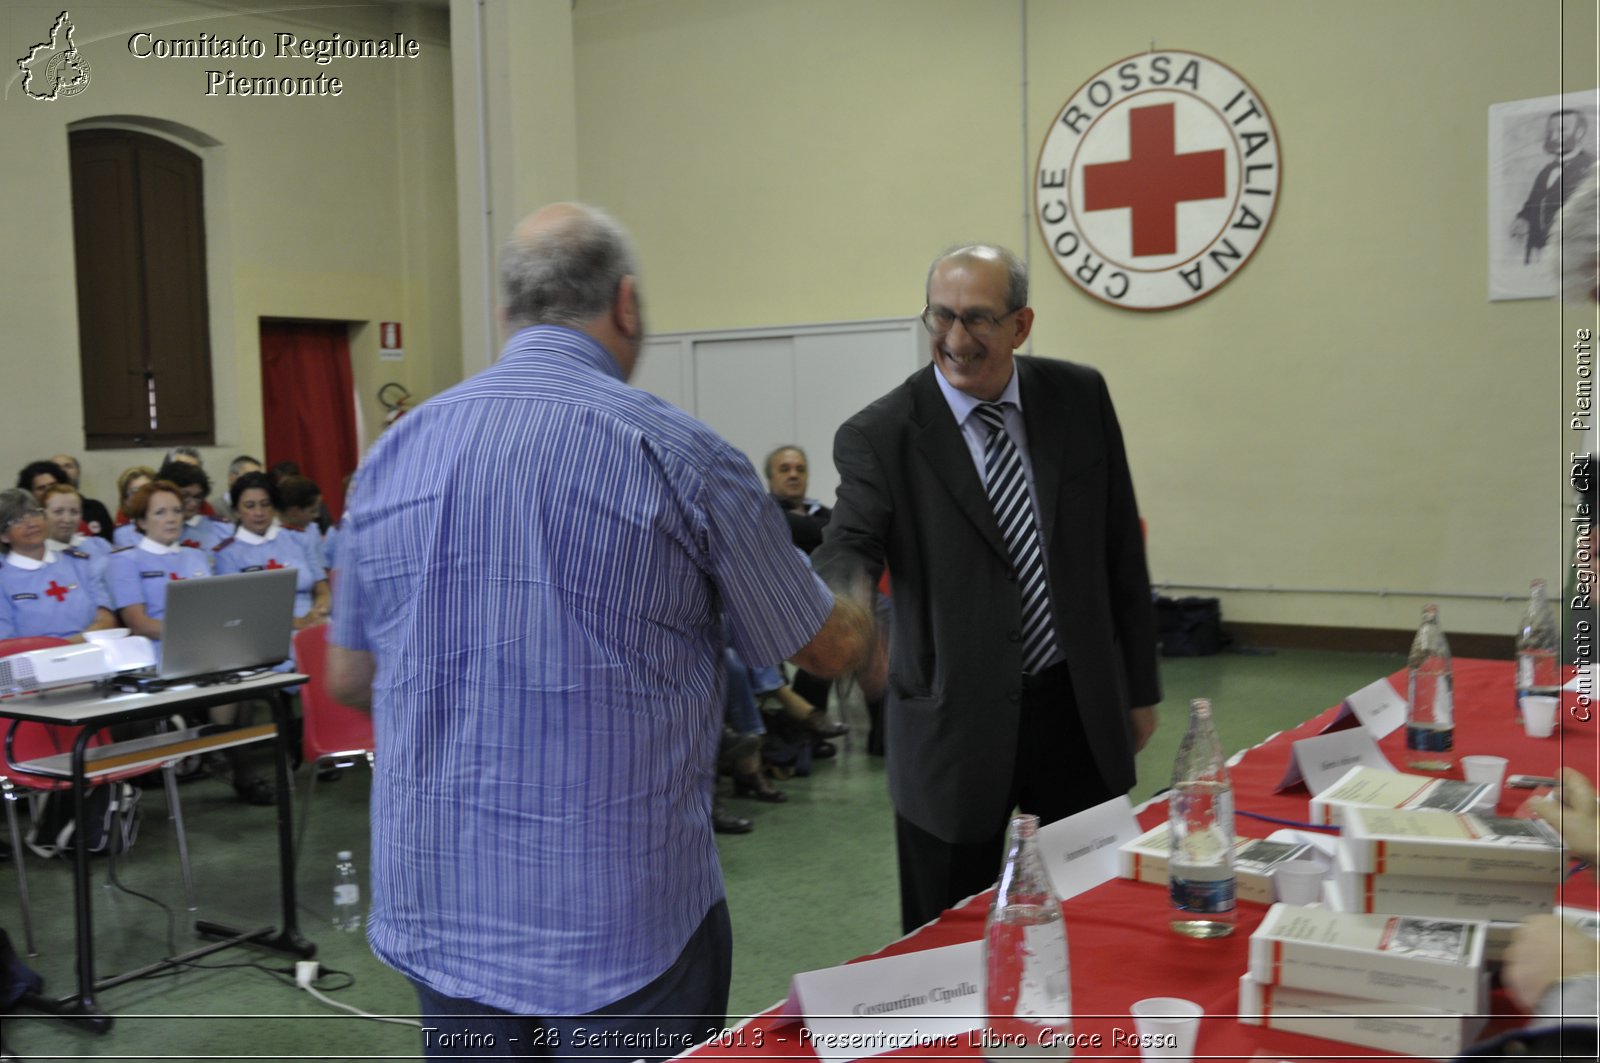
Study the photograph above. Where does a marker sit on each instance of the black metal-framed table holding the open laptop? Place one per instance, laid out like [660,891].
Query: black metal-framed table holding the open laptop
[94,712]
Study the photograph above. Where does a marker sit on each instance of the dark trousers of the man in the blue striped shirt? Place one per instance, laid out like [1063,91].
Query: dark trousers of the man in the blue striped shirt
[681,1009]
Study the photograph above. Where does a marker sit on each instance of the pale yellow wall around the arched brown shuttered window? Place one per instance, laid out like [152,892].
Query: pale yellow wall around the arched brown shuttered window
[318,207]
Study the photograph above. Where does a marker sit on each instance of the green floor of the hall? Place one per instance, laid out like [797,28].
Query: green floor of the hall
[810,888]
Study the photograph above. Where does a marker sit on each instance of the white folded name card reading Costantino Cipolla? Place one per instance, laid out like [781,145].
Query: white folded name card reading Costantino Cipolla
[894,1003]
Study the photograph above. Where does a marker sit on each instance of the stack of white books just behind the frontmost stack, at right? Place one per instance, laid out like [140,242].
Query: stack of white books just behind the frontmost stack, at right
[1455,865]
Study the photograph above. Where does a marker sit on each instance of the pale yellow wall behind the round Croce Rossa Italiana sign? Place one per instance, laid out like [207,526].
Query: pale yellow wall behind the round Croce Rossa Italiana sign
[1350,412]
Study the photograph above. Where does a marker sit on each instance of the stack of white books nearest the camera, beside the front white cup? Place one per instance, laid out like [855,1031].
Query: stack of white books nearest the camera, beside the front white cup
[1398,984]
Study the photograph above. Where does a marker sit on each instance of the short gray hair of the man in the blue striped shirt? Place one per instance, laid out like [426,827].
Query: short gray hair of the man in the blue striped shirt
[569,275]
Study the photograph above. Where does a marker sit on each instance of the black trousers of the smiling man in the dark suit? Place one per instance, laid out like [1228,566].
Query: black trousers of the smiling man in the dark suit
[1055,777]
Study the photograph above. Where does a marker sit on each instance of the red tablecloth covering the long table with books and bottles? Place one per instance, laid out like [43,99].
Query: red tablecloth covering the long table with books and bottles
[1122,949]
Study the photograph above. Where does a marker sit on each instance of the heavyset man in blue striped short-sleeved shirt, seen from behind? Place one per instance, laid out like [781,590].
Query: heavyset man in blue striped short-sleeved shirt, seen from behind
[542,651]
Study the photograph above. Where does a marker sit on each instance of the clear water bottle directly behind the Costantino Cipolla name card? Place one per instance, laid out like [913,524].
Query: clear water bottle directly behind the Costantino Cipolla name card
[1028,982]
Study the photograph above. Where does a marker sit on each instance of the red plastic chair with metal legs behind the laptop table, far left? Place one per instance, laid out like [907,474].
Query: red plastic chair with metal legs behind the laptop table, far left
[42,740]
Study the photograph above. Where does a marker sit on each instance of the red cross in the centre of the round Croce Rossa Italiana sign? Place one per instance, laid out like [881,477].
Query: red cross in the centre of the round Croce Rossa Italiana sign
[1154,180]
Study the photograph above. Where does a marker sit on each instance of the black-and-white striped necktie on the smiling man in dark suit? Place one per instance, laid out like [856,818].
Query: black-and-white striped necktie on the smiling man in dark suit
[1007,487]
